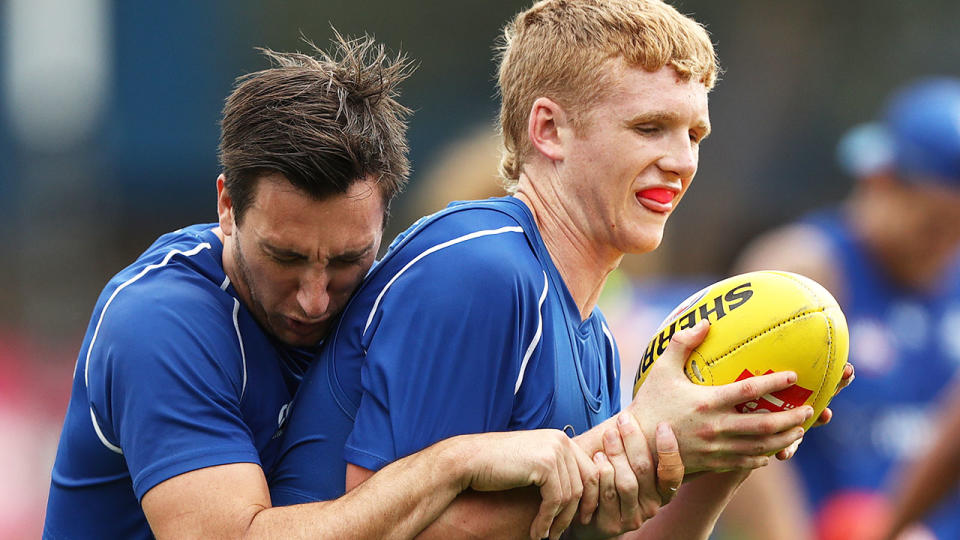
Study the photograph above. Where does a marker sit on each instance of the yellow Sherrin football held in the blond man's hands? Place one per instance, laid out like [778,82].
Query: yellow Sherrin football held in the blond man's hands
[762,322]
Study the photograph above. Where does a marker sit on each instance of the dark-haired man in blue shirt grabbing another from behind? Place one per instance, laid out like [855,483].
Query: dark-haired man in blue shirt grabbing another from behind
[194,351]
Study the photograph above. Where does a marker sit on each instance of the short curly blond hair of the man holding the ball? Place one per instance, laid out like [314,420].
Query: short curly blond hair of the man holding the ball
[560,49]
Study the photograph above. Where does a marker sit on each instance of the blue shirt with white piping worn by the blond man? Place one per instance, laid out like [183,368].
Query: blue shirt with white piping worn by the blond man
[465,326]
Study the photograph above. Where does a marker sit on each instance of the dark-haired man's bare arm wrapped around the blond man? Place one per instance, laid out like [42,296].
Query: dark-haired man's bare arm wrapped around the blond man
[233,501]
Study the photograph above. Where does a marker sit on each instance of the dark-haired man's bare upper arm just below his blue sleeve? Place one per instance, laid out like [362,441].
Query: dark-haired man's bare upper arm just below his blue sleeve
[219,501]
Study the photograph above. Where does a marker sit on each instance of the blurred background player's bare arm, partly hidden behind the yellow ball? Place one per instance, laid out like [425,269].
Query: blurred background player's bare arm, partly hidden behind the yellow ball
[772,504]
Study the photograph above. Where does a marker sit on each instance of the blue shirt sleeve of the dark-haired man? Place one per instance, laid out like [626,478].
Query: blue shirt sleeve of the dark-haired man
[164,381]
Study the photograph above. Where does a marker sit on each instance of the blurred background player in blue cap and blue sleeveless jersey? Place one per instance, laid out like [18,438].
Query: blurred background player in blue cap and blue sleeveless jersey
[889,253]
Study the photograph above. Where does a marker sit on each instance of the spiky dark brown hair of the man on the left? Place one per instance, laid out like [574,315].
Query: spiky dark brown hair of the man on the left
[323,121]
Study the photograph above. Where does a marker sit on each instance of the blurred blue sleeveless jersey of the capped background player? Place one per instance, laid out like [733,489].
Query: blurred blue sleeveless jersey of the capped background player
[906,348]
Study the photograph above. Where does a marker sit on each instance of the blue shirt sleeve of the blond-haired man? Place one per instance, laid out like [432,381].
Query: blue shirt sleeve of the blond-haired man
[443,352]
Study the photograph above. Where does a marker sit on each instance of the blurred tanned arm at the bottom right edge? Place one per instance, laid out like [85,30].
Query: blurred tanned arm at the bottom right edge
[923,482]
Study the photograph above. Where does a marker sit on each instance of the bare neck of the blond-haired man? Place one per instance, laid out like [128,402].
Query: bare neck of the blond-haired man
[582,265]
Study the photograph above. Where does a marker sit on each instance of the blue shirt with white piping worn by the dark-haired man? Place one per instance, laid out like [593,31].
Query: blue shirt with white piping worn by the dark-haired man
[173,375]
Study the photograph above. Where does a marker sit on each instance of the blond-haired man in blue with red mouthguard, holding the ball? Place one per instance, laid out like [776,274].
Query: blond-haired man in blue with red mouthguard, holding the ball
[483,316]
